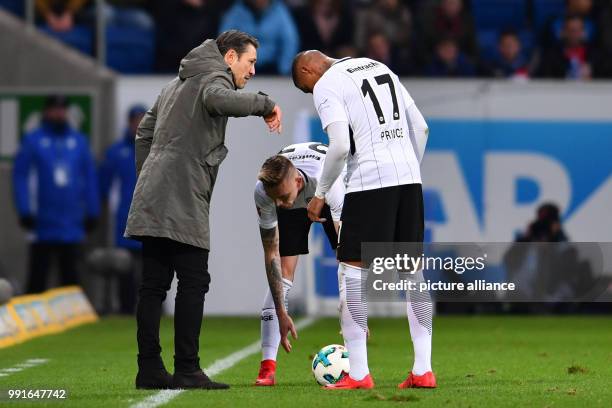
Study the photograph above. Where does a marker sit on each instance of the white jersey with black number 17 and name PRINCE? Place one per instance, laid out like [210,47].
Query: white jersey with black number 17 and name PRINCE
[369,96]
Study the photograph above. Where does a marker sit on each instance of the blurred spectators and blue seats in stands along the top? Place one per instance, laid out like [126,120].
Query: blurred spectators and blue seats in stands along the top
[434,38]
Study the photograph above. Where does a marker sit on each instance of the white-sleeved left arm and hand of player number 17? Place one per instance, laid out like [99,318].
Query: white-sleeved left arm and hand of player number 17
[335,159]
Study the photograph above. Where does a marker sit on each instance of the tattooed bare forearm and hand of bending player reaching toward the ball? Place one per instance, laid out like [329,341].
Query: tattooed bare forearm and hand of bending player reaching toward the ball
[269,240]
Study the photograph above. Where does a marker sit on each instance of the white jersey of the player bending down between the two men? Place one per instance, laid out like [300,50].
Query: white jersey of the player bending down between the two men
[308,158]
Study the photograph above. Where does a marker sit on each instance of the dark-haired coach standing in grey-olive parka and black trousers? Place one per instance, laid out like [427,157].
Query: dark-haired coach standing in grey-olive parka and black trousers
[179,147]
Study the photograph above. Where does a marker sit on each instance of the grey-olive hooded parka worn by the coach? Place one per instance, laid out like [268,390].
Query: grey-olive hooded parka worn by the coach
[180,145]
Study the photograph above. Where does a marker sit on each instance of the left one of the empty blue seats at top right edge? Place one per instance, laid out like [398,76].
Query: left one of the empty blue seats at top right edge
[499,14]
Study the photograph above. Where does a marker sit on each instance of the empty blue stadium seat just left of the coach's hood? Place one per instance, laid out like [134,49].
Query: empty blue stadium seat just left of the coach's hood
[130,50]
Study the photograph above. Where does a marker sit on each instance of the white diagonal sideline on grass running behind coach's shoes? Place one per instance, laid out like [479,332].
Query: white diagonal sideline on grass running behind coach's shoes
[164,396]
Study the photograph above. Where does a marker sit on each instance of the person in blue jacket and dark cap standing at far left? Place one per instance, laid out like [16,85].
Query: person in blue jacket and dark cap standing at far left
[64,204]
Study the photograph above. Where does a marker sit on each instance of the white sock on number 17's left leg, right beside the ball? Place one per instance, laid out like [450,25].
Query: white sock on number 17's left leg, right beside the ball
[354,319]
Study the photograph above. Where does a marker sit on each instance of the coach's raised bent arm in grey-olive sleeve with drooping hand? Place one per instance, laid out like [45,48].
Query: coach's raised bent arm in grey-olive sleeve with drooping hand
[221,99]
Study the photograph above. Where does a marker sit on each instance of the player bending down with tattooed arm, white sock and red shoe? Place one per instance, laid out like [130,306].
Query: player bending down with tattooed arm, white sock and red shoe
[286,183]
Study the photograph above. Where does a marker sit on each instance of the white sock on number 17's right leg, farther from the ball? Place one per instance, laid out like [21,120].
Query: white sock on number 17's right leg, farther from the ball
[419,308]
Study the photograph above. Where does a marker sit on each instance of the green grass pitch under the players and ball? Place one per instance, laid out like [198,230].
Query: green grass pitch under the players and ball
[479,362]
